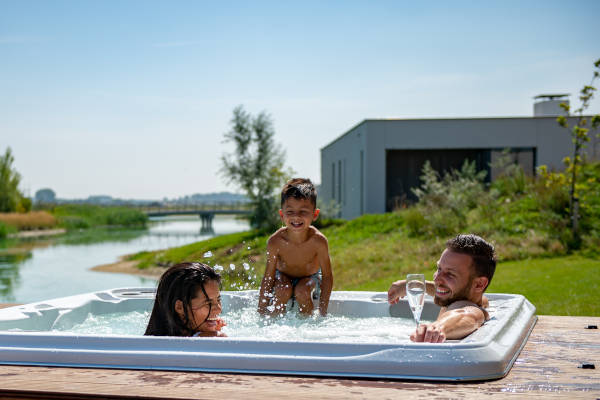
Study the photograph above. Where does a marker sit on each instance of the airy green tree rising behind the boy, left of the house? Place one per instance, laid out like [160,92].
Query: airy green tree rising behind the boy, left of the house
[256,165]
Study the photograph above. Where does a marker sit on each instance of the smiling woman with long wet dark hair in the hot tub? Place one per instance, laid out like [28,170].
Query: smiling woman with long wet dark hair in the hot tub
[187,303]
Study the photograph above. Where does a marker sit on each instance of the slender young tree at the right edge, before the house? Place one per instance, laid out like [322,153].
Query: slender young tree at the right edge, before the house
[580,136]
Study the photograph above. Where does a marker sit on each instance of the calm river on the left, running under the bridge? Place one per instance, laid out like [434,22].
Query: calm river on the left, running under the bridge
[41,269]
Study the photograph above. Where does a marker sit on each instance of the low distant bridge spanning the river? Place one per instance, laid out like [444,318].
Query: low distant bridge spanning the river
[205,212]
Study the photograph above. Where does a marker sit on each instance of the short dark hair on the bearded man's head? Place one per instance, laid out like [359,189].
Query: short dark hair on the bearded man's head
[482,253]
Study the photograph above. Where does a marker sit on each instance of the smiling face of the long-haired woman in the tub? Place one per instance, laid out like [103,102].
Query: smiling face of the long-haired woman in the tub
[204,311]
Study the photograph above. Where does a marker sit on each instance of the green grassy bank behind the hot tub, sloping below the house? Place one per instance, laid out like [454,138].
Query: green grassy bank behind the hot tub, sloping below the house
[370,252]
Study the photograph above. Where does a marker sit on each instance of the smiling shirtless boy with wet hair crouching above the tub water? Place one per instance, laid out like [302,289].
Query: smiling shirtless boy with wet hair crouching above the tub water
[297,255]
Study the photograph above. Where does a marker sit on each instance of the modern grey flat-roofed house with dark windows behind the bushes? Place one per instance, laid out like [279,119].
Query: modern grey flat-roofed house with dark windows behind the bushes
[371,168]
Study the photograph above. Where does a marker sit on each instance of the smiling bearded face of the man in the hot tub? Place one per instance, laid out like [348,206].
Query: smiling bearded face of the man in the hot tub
[453,278]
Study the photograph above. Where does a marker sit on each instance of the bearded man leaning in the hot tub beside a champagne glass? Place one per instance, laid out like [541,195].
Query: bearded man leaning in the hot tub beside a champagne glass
[464,271]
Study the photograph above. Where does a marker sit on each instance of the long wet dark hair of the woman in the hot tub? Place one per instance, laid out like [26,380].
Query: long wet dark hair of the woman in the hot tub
[180,282]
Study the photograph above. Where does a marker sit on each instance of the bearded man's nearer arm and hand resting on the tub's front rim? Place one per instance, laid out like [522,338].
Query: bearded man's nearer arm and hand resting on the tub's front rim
[456,323]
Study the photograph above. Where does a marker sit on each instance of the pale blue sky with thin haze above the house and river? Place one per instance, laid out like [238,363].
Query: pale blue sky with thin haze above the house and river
[131,98]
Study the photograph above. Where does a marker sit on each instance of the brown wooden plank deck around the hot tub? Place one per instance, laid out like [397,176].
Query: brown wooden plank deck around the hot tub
[548,367]
